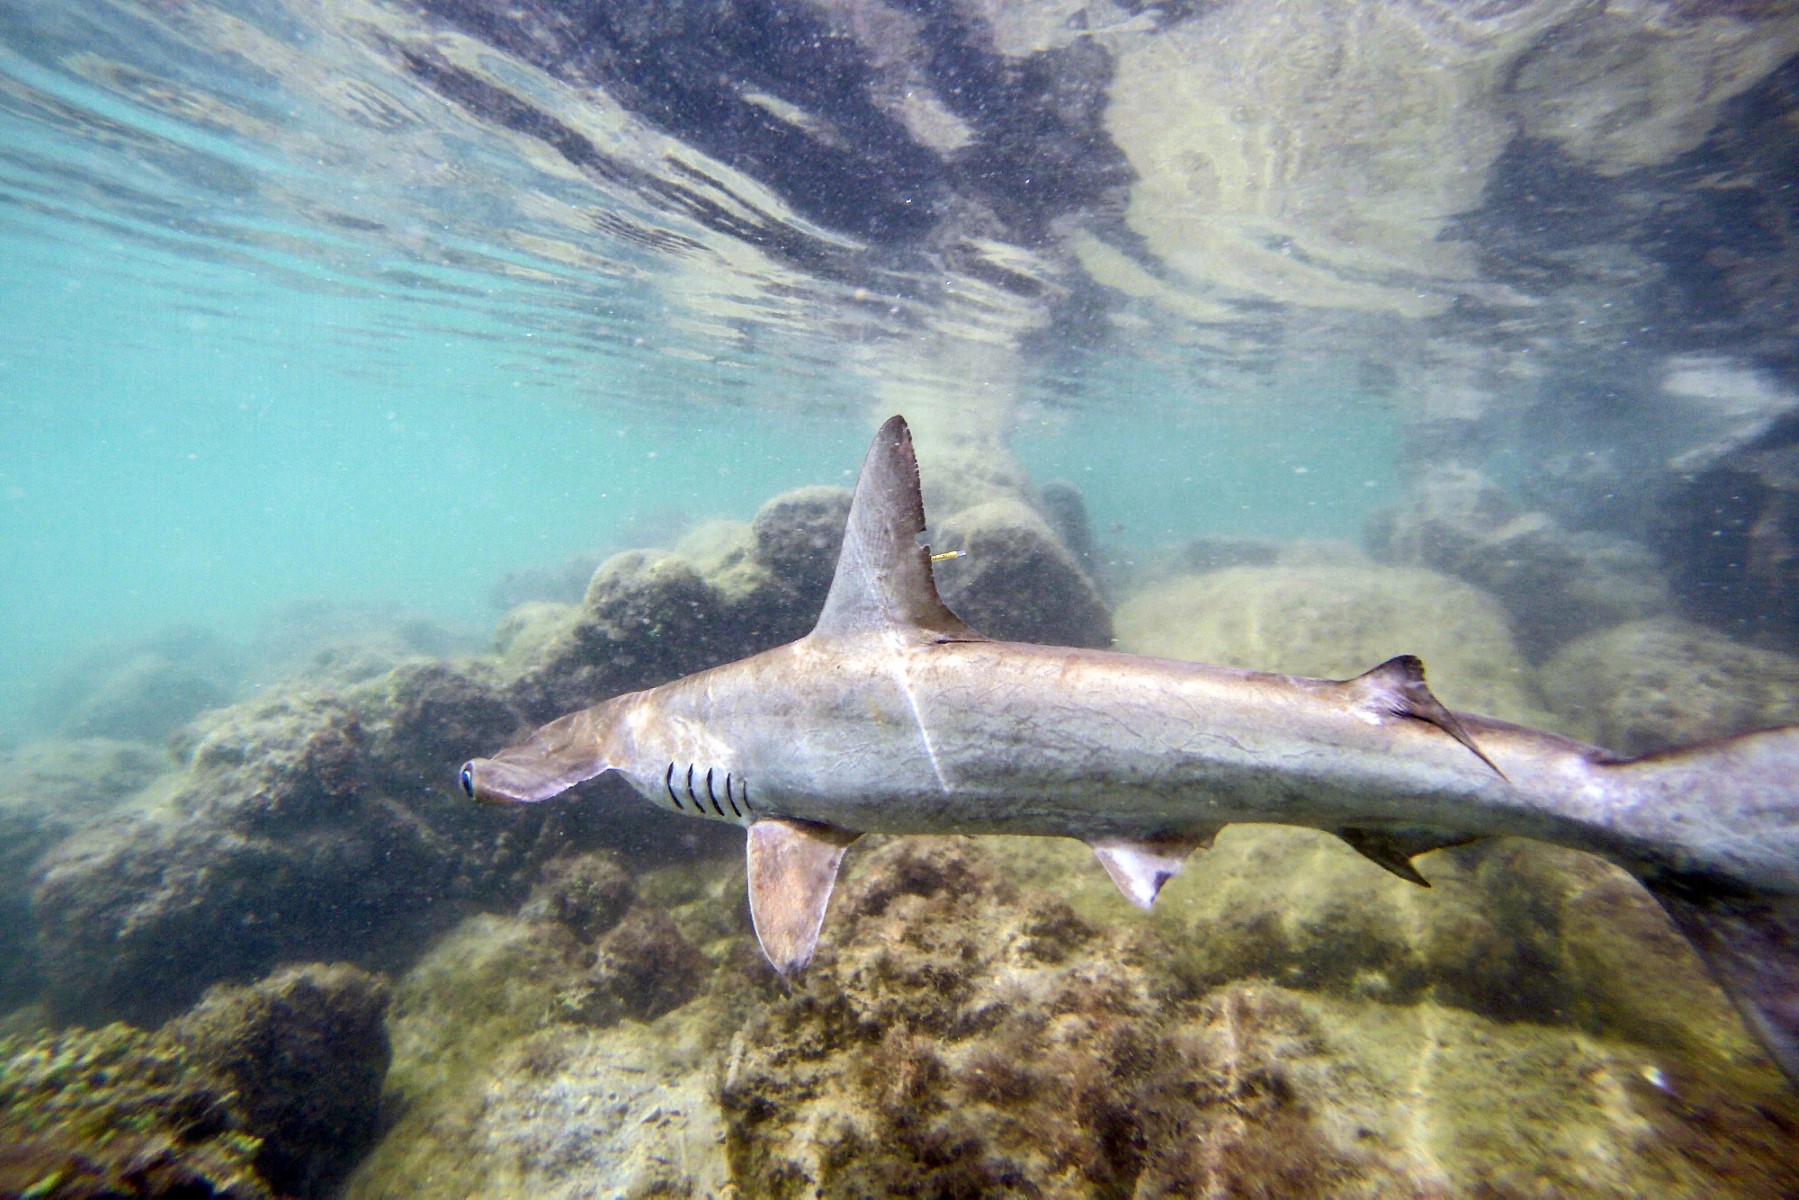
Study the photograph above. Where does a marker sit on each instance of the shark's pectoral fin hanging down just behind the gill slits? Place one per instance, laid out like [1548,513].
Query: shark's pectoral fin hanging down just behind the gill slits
[792,872]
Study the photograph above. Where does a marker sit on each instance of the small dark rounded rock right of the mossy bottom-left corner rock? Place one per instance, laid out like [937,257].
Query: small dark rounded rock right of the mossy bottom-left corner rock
[305,1053]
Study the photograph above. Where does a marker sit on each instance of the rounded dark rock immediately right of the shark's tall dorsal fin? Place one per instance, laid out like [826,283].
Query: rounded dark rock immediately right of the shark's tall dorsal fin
[1016,580]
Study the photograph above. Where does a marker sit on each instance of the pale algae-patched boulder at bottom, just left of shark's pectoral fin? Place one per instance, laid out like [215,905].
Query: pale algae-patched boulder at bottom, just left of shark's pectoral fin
[519,1071]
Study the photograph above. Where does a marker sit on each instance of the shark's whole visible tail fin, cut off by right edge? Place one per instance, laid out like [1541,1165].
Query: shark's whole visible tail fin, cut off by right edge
[1726,818]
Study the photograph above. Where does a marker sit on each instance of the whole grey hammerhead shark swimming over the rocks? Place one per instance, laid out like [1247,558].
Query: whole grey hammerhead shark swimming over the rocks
[895,717]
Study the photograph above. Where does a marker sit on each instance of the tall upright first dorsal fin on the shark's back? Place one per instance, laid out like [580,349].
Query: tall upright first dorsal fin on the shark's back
[884,575]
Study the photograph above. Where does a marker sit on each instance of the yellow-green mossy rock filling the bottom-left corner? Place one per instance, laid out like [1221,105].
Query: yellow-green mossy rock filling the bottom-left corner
[120,1113]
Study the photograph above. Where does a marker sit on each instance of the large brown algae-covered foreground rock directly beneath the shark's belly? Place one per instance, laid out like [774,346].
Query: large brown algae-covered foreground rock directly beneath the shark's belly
[976,1026]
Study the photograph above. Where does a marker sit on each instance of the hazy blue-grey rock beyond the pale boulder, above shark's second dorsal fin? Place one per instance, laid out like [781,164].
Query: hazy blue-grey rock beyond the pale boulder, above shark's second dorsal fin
[1555,584]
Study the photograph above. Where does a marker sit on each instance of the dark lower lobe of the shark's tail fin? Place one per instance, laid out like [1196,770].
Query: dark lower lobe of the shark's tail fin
[1753,951]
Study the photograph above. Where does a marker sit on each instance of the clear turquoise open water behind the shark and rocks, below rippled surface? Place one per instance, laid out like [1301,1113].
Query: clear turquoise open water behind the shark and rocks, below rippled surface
[197,445]
